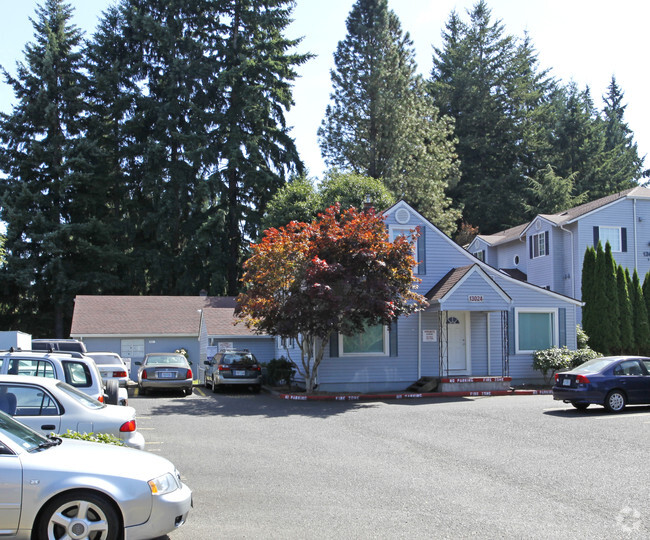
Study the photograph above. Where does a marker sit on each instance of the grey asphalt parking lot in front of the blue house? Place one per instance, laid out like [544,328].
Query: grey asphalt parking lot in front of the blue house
[489,467]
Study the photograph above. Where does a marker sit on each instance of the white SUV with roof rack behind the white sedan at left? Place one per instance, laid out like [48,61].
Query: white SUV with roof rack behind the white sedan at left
[74,368]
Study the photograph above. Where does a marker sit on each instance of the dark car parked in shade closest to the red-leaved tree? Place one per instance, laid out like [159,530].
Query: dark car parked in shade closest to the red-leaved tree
[238,367]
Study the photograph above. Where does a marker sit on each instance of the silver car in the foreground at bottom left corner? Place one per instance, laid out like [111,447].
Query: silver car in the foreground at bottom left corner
[54,488]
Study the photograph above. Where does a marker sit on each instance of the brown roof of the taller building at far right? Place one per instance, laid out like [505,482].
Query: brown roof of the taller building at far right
[566,216]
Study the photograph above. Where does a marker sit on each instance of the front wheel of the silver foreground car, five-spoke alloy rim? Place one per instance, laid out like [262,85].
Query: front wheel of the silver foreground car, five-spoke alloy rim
[79,515]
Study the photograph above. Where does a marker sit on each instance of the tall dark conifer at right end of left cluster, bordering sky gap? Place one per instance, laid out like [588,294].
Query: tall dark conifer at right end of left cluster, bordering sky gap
[255,153]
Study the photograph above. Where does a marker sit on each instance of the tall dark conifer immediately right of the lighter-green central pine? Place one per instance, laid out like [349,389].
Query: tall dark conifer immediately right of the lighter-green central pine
[491,85]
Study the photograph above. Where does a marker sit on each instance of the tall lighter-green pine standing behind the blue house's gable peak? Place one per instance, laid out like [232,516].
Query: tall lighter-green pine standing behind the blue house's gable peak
[381,122]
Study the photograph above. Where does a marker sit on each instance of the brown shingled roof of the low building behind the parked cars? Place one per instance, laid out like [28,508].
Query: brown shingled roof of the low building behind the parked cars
[154,316]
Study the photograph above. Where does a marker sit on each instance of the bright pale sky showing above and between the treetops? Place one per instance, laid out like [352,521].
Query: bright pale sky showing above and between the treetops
[585,41]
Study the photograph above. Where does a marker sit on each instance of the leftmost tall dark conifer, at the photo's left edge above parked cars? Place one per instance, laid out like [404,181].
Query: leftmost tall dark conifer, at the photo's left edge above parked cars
[48,240]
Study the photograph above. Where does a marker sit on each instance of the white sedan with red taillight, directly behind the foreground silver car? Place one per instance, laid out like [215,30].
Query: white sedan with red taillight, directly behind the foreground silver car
[52,406]
